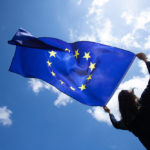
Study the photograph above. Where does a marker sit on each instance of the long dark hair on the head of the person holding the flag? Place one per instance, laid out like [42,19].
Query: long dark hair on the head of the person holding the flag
[128,106]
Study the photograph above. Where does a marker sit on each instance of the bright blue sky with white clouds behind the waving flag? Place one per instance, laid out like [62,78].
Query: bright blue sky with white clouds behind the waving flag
[35,116]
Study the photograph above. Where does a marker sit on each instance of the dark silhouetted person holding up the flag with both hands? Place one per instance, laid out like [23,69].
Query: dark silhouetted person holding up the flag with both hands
[135,112]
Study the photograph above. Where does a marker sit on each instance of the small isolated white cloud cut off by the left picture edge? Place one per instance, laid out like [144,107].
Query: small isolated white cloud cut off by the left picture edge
[5,114]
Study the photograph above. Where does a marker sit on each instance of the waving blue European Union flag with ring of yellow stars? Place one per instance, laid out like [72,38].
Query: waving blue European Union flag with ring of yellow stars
[87,71]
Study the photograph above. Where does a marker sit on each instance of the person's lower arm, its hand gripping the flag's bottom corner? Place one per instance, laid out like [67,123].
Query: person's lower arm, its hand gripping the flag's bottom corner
[116,124]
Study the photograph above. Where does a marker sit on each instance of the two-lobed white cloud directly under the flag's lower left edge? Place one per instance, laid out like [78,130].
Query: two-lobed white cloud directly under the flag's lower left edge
[37,86]
